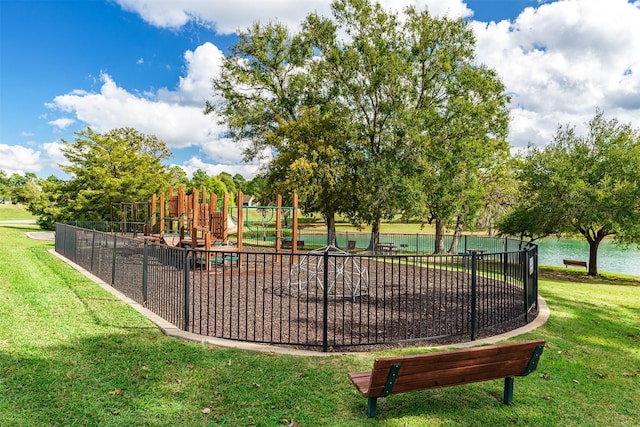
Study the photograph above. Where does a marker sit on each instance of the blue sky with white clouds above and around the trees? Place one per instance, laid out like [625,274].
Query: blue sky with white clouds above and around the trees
[69,64]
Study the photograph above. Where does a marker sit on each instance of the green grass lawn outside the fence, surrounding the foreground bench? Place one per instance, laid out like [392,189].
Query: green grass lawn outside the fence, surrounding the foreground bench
[72,354]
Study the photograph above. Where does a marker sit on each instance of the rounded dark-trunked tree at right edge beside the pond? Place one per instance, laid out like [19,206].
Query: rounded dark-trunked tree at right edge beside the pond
[582,184]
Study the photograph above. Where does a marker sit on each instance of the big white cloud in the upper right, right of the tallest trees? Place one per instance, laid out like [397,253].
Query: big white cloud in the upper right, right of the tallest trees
[563,60]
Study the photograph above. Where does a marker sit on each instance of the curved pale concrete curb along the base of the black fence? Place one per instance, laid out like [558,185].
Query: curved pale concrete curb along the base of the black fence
[172,330]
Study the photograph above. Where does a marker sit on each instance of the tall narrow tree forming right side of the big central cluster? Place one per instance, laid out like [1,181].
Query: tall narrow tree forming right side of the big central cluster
[463,119]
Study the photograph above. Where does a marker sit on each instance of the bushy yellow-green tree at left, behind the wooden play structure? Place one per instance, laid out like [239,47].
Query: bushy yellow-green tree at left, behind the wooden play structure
[122,165]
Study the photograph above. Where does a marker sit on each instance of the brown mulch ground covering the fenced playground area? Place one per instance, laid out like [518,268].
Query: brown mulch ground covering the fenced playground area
[369,303]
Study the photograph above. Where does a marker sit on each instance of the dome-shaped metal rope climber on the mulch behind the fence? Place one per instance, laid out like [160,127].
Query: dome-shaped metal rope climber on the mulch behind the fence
[345,276]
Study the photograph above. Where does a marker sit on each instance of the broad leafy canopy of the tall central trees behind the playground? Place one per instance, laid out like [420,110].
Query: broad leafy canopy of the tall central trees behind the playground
[391,107]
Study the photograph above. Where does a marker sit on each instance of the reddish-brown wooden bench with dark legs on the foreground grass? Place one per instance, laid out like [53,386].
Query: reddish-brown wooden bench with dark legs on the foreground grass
[391,375]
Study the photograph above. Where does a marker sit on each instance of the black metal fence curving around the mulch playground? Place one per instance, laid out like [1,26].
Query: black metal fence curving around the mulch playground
[321,299]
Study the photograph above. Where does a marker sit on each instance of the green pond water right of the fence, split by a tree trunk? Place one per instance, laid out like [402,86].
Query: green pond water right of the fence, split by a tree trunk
[611,257]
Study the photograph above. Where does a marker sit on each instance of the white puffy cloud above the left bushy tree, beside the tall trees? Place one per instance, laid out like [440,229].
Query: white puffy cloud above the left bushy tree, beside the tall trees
[174,116]
